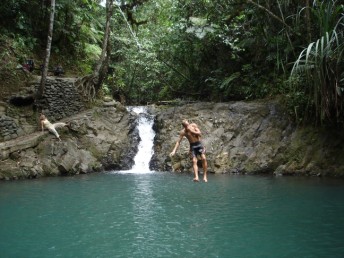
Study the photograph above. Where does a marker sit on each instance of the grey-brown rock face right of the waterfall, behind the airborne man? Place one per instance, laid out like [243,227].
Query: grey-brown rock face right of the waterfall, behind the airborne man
[248,137]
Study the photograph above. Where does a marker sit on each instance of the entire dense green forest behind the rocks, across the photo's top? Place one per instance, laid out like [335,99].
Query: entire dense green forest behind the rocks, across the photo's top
[199,50]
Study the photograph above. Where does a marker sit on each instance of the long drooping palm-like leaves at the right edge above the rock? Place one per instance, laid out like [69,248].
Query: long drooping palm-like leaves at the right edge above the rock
[321,65]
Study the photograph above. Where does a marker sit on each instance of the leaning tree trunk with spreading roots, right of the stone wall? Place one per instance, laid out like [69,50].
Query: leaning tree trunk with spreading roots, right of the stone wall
[99,72]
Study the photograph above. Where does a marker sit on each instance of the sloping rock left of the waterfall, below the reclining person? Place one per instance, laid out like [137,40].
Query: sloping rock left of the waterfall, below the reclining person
[103,138]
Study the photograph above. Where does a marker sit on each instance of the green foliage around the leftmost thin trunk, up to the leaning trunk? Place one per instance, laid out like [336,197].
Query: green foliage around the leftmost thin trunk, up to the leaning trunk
[77,36]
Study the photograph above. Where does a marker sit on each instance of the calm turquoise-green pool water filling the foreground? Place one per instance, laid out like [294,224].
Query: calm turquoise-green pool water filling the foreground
[167,215]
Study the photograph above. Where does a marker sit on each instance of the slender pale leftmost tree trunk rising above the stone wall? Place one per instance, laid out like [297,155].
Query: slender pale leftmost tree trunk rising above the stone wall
[47,52]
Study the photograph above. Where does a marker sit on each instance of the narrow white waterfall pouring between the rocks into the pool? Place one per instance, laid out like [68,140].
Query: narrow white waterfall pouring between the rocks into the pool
[145,148]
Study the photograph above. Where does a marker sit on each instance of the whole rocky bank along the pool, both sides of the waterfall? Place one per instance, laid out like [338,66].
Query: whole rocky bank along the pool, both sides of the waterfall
[254,137]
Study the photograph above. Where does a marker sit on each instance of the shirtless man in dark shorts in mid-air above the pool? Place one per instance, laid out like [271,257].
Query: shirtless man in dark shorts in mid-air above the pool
[193,134]
